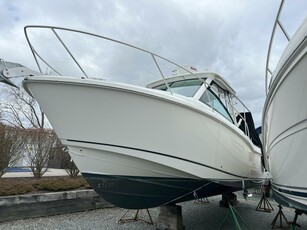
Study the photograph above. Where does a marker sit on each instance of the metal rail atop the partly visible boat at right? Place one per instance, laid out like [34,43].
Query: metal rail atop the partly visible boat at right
[279,24]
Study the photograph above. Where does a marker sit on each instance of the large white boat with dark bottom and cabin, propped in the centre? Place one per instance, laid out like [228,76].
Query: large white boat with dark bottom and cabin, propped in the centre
[177,139]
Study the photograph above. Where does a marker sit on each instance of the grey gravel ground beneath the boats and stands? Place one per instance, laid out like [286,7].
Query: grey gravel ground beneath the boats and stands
[195,216]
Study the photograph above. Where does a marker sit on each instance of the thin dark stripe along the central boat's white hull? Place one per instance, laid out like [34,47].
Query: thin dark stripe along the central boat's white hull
[161,154]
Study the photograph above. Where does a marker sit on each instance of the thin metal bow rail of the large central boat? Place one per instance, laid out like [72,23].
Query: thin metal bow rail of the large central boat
[54,29]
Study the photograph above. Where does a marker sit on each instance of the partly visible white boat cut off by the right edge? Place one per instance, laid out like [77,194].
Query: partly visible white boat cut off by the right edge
[285,122]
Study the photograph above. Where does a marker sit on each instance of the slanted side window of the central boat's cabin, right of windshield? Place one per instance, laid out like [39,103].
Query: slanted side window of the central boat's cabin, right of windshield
[210,99]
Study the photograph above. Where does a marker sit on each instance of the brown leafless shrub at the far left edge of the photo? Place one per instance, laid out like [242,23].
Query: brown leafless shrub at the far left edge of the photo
[12,143]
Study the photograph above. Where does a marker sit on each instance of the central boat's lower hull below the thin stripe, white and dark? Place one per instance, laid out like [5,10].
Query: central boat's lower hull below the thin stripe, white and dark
[160,181]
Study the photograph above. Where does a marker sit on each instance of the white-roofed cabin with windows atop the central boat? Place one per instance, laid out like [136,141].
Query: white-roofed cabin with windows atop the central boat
[214,91]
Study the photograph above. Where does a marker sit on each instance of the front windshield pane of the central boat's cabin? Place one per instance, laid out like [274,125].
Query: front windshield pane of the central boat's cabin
[186,88]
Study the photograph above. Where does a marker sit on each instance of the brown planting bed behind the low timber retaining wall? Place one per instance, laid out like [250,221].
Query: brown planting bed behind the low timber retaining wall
[18,186]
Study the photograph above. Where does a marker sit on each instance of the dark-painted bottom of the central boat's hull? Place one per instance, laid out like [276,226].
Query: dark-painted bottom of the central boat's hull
[144,192]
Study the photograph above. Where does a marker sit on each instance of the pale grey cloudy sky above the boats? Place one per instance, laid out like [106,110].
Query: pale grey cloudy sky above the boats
[229,37]
